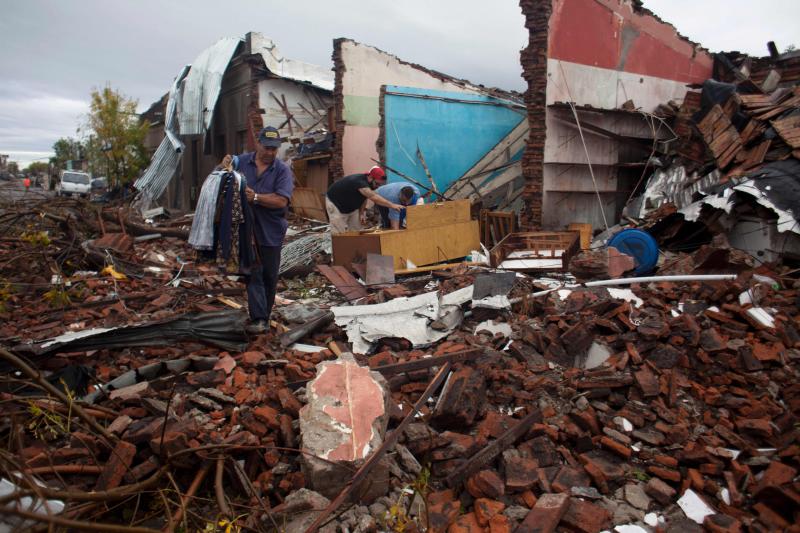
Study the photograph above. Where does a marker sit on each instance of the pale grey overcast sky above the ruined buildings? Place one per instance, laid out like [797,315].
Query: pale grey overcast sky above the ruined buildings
[55,52]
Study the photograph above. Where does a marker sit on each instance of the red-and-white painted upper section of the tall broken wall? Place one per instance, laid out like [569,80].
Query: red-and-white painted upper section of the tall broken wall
[605,52]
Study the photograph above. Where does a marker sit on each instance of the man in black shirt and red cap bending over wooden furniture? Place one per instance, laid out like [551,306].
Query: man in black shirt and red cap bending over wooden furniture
[346,200]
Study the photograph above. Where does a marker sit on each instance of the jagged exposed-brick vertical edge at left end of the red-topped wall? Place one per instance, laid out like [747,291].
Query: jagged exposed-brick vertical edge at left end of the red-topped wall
[534,71]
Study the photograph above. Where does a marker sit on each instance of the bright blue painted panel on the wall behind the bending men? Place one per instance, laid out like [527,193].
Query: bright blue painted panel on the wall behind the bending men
[452,136]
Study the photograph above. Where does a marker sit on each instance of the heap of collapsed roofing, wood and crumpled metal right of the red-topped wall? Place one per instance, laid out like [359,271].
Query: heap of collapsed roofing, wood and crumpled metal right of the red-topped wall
[736,170]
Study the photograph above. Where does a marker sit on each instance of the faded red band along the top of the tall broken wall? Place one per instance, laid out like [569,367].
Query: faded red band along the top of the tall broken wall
[608,34]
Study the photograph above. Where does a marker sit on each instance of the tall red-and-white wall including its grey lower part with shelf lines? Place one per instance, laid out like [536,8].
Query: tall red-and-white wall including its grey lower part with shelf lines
[601,54]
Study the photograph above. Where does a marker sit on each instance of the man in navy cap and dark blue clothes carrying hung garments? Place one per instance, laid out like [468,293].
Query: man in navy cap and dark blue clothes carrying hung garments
[269,188]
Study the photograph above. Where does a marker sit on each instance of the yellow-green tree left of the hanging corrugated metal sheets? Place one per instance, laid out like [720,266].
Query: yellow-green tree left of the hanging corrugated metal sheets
[116,136]
